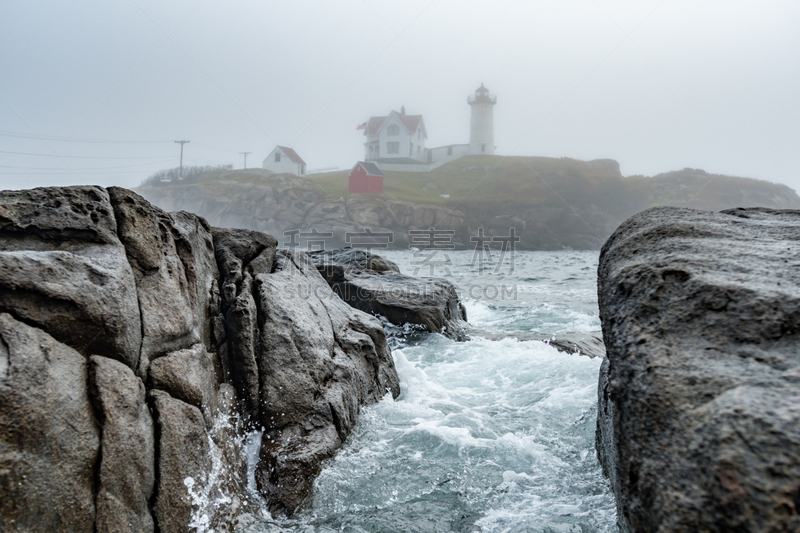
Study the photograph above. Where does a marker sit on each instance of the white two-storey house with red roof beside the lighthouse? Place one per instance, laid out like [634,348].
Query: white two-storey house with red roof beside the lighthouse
[395,138]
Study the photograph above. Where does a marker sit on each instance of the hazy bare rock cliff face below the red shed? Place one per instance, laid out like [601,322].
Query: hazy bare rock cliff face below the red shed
[277,204]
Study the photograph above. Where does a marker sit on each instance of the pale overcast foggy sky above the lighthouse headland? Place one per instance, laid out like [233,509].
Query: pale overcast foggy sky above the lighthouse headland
[656,85]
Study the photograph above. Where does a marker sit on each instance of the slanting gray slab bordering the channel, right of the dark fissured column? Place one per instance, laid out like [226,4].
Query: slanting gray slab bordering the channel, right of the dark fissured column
[318,364]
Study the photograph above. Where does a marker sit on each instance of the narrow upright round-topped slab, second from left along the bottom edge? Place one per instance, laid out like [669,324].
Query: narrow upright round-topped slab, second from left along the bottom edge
[127,473]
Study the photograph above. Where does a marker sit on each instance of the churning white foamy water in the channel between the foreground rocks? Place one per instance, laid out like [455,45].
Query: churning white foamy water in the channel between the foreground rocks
[494,424]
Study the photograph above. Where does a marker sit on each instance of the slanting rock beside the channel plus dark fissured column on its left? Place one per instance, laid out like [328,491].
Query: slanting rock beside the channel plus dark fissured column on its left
[303,371]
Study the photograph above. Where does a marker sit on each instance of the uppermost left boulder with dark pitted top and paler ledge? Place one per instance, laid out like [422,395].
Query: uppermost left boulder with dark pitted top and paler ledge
[63,269]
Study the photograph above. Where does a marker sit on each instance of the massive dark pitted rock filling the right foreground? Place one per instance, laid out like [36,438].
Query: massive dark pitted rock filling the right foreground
[699,403]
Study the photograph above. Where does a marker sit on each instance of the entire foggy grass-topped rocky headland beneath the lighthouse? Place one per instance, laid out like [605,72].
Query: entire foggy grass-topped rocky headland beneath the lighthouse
[552,204]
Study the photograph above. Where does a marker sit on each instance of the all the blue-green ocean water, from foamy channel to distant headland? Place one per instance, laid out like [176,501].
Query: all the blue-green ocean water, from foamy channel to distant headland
[487,435]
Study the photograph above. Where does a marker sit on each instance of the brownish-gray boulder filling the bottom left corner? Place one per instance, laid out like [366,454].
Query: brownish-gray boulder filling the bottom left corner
[49,443]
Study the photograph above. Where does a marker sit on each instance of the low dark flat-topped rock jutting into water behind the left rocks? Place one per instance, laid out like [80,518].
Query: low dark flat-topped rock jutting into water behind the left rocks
[375,285]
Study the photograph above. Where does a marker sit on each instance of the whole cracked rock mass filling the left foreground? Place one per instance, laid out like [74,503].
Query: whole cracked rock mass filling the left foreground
[140,348]
